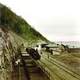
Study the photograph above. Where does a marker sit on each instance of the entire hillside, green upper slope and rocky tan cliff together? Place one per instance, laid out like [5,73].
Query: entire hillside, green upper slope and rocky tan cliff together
[14,31]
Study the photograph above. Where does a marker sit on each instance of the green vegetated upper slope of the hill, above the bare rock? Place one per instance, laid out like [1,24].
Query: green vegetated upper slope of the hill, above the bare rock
[19,26]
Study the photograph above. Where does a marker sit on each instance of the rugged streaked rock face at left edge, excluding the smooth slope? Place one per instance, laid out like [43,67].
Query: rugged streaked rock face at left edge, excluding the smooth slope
[7,53]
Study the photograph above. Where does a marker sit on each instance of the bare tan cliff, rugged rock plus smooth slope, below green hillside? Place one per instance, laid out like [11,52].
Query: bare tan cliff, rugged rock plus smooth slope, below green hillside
[9,47]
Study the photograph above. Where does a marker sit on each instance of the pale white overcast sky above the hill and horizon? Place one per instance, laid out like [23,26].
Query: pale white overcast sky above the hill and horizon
[57,20]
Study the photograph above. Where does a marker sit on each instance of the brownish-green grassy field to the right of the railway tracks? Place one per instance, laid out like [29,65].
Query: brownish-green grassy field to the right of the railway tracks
[72,60]
